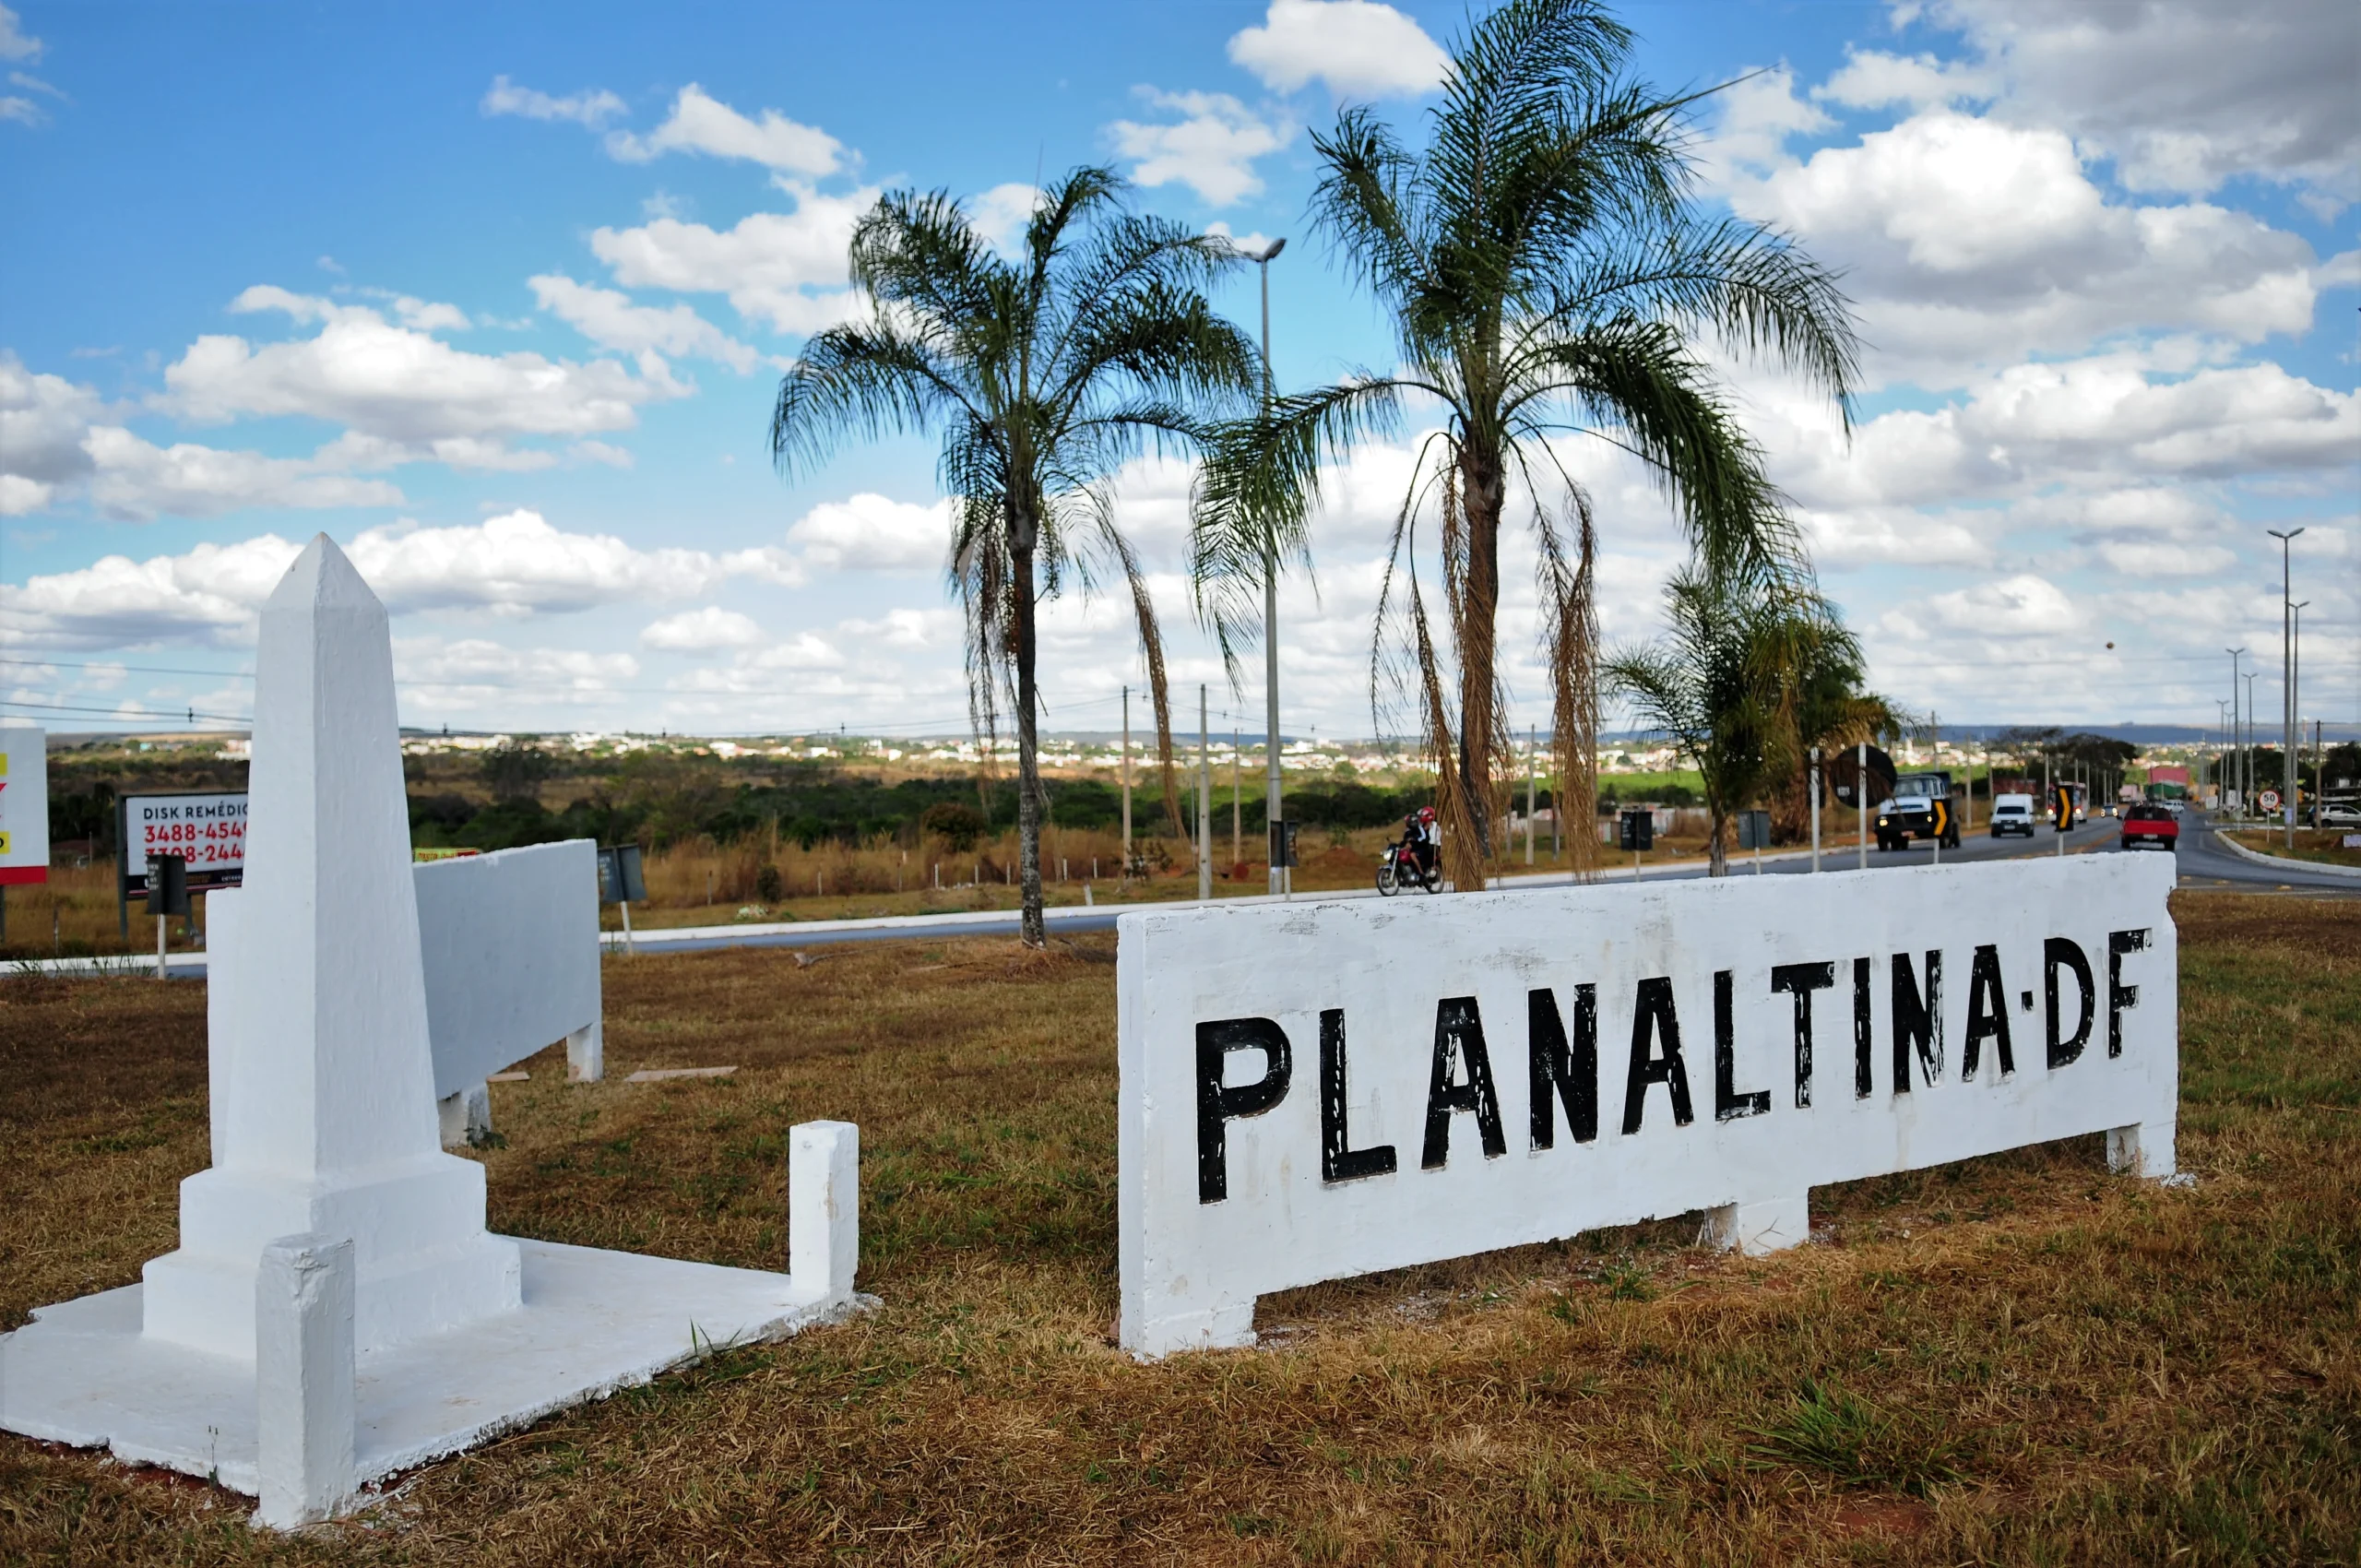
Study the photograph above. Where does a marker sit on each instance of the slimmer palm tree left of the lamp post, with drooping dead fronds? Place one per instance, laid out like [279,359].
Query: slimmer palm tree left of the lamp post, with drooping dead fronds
[1042,374]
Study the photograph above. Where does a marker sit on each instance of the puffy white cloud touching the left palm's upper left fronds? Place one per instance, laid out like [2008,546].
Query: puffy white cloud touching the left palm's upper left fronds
[785,270]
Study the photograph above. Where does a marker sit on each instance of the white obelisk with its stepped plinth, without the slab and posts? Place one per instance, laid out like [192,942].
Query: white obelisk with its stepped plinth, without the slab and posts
[322,1078]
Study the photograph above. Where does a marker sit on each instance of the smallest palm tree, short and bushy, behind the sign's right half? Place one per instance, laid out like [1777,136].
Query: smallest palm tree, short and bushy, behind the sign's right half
[1725,684]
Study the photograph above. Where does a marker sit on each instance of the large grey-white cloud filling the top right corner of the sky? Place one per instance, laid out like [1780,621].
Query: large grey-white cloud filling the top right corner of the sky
[2185,93]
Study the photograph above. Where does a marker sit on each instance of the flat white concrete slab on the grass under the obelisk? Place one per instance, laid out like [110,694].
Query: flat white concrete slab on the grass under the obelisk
[591,1324]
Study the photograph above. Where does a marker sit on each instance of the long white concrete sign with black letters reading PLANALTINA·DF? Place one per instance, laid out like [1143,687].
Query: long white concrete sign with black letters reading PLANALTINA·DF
[1330,1090]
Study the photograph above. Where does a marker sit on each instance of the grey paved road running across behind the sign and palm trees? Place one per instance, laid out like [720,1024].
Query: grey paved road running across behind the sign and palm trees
[2204,865]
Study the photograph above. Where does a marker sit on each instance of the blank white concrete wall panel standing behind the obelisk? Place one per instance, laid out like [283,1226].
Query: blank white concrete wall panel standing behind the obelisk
[511,955]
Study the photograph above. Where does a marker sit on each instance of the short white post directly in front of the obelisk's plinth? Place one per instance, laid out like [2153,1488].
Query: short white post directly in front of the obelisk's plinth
[303,1380]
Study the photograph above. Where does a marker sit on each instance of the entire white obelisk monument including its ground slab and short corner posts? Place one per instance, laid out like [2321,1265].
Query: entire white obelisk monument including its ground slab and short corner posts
[336,1312]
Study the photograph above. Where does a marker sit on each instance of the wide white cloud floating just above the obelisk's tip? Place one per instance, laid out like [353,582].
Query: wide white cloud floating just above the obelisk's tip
[403,386]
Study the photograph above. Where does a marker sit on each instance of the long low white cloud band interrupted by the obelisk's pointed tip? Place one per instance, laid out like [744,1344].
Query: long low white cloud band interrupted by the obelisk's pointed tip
[514,566]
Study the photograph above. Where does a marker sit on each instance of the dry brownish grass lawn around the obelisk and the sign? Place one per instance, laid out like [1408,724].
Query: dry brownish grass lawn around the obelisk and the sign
[2013,1359]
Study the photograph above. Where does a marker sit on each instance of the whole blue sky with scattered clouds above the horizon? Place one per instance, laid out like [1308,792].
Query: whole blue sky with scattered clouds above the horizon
[499,296]
